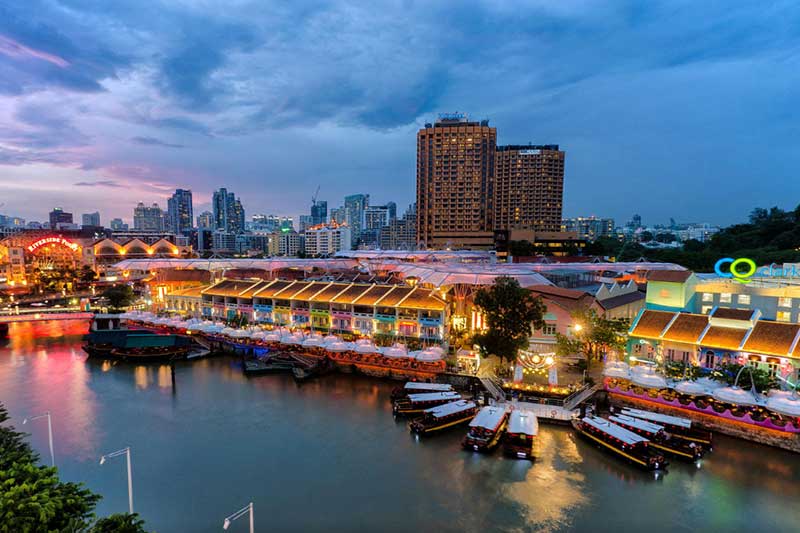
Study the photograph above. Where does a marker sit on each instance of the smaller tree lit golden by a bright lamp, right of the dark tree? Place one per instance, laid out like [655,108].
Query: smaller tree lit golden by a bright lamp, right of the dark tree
[593,335]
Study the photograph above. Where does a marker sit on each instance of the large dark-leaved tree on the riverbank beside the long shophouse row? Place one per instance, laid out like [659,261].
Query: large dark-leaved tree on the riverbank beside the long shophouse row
[511,311]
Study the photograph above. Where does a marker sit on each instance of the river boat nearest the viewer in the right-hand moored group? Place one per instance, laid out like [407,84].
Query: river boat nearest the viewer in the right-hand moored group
[620,441]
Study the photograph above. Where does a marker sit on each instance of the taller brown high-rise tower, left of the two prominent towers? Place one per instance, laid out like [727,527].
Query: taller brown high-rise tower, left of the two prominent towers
[455,169]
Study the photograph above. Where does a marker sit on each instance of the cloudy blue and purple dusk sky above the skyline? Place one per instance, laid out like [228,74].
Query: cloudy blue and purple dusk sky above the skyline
[667,109]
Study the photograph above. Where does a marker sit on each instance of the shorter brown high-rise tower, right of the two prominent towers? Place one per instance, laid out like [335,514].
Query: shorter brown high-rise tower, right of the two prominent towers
[528,187]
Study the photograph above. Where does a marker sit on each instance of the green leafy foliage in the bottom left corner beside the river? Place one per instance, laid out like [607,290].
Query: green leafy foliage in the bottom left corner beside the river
[34,500]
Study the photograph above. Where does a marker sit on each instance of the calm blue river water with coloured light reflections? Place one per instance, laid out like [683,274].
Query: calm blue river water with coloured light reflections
[328,456]
